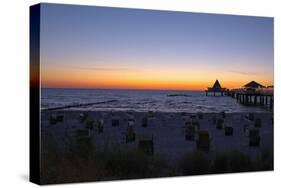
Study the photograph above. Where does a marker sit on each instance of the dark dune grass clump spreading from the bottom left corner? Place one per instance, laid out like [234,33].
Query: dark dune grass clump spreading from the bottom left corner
[83,163]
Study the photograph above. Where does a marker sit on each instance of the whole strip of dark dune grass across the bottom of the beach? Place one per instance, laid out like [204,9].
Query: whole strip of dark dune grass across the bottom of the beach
[84,163]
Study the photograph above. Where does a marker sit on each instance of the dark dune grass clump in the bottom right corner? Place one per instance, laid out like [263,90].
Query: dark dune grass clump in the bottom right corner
[198,162]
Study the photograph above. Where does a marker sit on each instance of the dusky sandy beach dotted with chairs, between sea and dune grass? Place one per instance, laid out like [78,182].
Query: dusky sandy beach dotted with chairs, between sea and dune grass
[167,131]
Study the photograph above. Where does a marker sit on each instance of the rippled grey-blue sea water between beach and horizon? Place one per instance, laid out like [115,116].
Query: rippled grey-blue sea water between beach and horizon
[141,100]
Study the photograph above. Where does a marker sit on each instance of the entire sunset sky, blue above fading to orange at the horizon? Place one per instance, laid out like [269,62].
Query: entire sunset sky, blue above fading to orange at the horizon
[99,47]
